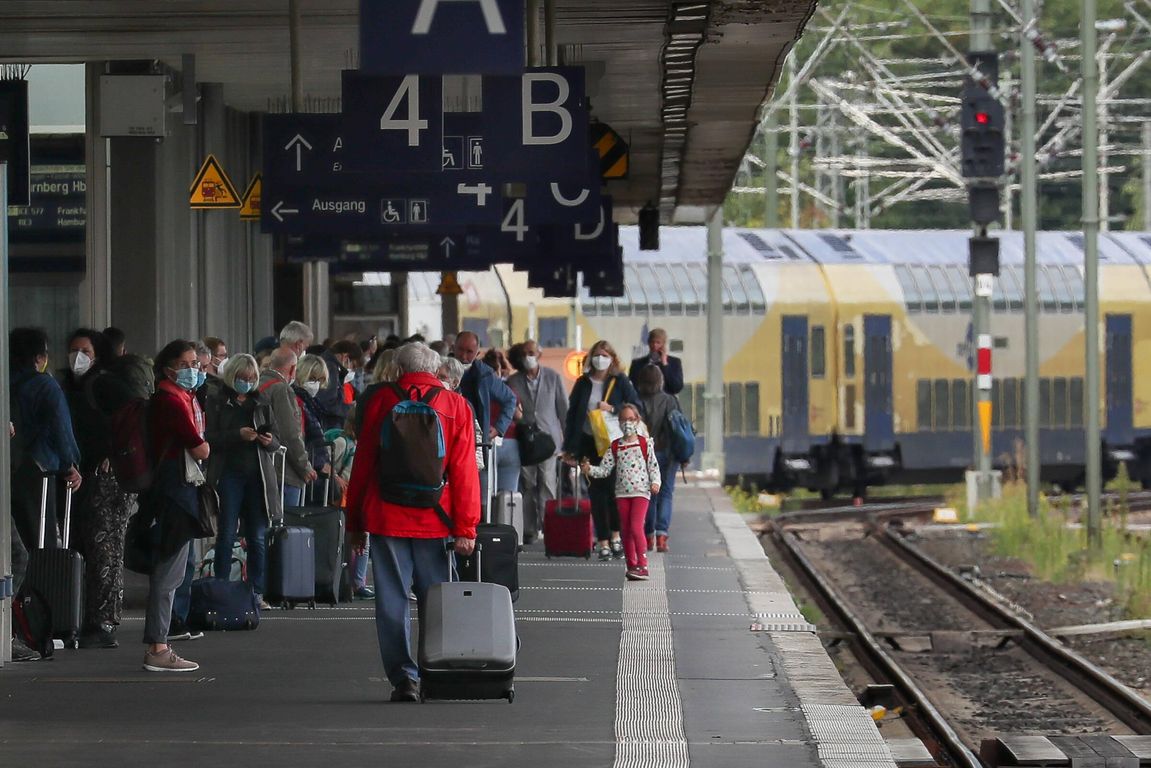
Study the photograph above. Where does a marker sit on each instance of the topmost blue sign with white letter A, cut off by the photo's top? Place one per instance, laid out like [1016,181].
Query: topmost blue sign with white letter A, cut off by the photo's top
[443,37]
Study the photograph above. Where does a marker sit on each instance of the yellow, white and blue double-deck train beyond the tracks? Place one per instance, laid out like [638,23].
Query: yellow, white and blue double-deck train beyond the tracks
[849,355]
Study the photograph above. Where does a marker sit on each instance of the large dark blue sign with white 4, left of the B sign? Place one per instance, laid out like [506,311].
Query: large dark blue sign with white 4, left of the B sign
[393,124]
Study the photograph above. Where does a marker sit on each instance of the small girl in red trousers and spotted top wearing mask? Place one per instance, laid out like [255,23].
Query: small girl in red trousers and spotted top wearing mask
[637,481]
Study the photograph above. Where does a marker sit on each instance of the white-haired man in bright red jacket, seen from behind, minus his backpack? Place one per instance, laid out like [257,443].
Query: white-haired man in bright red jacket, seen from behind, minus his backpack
[409,543]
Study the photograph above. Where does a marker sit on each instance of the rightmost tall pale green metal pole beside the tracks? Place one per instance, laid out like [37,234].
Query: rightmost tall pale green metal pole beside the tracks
[1092,270]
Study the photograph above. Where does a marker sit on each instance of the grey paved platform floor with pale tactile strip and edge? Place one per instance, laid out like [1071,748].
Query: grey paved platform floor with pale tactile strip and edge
[707,665]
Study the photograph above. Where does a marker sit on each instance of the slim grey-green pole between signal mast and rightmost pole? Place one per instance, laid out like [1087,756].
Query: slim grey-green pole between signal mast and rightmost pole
[1030,216]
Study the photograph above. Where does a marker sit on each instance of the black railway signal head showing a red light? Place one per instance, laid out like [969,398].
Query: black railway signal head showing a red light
[982,138]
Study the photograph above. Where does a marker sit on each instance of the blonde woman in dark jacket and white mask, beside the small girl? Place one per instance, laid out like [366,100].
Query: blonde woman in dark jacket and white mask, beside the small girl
[604,387]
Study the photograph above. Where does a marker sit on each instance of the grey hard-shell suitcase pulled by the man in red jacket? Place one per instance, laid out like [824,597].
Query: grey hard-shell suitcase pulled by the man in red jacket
[468,642]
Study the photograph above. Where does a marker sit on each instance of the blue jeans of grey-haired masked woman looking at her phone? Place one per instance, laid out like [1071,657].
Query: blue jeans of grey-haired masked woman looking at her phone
[242,500]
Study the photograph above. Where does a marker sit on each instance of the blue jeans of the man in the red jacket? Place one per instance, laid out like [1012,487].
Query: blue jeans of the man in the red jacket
[400,567]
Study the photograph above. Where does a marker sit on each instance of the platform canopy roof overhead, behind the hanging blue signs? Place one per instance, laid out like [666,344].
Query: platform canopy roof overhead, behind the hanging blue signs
[641,55]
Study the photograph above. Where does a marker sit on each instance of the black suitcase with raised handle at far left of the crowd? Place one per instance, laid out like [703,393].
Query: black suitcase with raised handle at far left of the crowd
[58,575]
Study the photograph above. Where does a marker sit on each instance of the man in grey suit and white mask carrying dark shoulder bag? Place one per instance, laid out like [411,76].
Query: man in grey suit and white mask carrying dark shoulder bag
[543,394]
